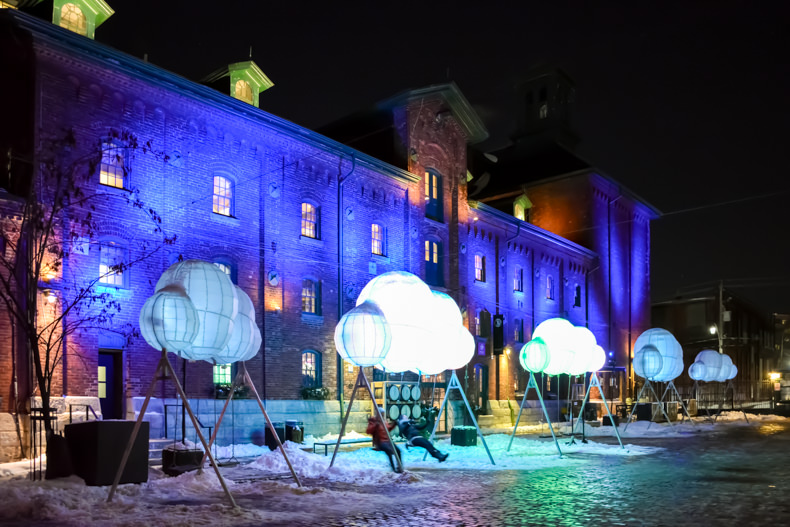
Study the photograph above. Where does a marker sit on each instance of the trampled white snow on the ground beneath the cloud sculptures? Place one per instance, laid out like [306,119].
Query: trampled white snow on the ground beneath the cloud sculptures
[193,499]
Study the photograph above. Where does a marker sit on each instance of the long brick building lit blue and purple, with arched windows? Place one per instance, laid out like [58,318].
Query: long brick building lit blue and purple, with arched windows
[301,221]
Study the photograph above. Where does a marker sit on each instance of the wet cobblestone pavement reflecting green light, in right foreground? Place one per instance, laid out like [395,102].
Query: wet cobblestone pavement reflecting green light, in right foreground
[739,477]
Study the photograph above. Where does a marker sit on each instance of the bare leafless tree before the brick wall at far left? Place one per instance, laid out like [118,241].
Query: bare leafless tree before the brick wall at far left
[48,294]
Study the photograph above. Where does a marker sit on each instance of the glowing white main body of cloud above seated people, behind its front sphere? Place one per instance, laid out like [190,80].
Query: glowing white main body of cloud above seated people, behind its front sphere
[425,326]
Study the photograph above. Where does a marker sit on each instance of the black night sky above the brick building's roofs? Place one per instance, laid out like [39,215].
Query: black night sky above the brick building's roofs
[687,103]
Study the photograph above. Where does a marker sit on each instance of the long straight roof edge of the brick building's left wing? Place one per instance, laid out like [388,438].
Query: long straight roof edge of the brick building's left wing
[54,35]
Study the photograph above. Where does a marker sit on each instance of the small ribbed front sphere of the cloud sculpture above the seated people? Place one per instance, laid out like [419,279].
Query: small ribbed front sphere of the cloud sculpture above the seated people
[363,336]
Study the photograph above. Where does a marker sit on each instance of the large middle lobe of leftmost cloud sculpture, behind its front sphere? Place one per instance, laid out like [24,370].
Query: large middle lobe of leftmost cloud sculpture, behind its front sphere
[215,300]
